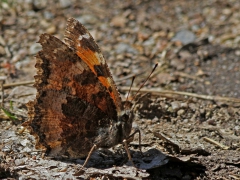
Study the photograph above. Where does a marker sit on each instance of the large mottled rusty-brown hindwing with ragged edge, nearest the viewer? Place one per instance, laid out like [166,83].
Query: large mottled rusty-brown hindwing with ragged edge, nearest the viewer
[71,104]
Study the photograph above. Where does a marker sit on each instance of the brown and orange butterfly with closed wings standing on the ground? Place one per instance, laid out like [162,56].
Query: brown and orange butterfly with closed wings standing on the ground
[77,107]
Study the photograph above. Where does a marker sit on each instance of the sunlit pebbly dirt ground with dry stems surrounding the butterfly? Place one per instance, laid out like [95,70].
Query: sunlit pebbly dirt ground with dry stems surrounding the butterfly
[189,118]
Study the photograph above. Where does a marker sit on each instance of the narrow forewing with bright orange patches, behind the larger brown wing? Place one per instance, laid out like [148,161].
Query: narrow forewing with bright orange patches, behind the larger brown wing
[80,40]
